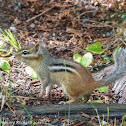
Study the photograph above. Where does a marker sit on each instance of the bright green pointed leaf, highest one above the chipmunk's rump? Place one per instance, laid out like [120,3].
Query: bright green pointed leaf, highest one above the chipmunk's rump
[95,48]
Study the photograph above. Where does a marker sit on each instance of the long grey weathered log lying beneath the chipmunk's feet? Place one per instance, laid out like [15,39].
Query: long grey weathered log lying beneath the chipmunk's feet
[74,108]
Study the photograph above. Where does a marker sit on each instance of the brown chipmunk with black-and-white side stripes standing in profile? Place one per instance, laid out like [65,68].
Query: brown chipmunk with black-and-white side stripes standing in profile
[76,80]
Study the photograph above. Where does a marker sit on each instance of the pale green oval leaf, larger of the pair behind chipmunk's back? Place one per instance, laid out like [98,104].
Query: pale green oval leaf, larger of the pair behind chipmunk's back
[86,59]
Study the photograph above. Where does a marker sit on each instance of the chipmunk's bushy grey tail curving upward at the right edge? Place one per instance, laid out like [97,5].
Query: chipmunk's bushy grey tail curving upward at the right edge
[119,68]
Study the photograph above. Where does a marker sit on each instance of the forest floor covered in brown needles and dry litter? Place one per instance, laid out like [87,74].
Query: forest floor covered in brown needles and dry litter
[66,27]
